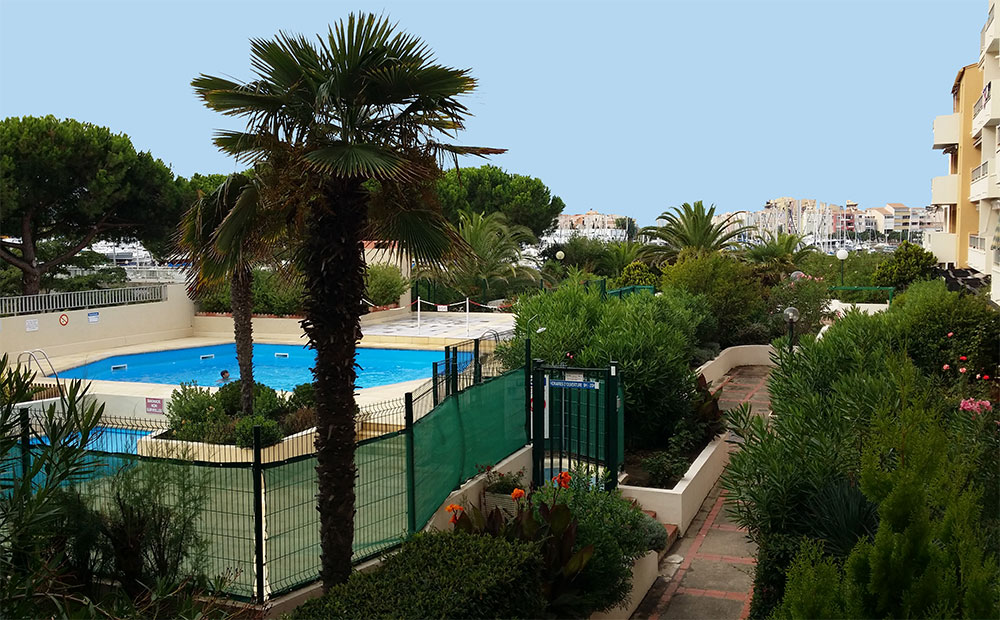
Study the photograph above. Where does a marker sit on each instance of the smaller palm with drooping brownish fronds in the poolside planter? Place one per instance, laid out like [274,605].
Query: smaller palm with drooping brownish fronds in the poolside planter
[196,239]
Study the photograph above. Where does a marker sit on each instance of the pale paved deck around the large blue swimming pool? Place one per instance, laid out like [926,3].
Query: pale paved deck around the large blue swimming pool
[435,331]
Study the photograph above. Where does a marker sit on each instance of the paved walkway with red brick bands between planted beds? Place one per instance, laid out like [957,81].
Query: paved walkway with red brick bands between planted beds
[708,573]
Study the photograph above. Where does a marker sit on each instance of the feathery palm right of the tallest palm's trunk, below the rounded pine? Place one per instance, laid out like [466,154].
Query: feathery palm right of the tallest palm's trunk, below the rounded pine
[492,254]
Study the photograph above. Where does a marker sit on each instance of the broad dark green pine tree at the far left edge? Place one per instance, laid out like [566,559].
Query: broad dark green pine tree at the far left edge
[72,184]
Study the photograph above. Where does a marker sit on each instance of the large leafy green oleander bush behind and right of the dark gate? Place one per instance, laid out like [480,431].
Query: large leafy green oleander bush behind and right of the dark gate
[651,338]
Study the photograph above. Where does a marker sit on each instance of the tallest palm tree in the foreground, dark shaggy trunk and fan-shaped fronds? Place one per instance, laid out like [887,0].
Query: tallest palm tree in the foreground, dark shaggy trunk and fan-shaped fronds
[364,103]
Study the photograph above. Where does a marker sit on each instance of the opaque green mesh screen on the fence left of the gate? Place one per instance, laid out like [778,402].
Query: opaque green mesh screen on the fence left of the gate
[481,425]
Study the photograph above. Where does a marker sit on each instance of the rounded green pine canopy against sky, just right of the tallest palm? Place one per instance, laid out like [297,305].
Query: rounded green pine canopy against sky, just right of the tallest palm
[524,201]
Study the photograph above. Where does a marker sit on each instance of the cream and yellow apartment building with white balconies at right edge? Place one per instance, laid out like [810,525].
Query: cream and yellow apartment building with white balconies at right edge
[969,195]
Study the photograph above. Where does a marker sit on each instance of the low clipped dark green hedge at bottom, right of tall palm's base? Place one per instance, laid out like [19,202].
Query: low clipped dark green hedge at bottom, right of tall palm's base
[441,575]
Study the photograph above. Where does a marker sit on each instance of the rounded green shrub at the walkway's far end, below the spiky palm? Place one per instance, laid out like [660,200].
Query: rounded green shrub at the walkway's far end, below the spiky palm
[735,297]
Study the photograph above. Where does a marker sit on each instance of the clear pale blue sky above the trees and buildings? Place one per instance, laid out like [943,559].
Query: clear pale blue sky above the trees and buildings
[625,107]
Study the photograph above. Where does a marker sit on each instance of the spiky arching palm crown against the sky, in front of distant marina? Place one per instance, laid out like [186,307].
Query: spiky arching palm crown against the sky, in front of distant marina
[689,227]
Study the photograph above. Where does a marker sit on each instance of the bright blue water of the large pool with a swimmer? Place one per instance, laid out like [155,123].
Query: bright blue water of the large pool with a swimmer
[282,367]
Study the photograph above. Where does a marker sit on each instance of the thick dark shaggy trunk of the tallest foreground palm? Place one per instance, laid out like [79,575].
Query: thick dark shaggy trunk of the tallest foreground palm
[333,264]
